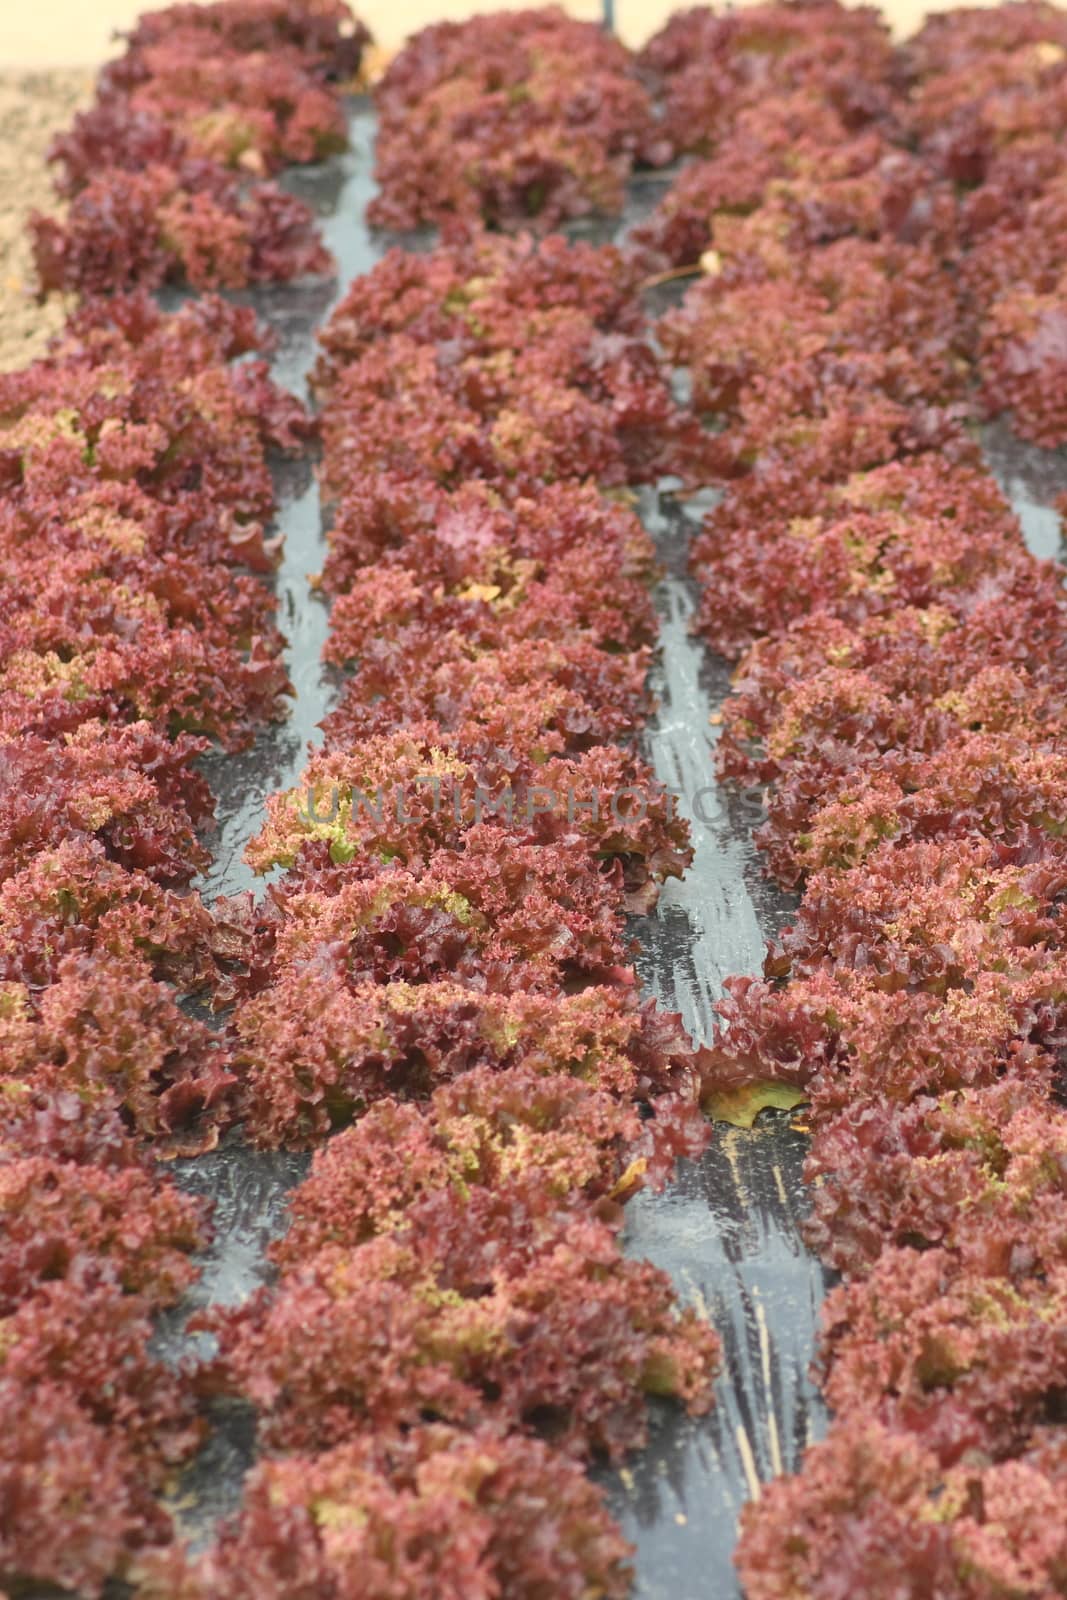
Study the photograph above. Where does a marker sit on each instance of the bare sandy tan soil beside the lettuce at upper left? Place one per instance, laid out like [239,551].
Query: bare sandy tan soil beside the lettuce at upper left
[33,108]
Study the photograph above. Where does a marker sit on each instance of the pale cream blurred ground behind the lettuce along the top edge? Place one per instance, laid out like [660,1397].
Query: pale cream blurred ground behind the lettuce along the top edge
[79,33]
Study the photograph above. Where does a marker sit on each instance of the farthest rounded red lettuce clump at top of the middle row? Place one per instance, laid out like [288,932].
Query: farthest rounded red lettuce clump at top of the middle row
[511,119]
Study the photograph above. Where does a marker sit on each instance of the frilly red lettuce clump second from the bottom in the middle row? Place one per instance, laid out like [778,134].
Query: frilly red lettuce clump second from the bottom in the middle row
[482,1294]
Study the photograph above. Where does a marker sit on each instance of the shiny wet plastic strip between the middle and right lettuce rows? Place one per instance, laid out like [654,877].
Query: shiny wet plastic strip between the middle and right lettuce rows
[727,1231]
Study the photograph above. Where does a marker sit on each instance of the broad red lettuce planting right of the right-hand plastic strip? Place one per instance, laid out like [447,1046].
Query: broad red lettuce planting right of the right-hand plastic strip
[882,265]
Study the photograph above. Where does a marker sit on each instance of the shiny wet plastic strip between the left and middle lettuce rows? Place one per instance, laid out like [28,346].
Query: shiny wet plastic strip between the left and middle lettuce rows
[247,1186]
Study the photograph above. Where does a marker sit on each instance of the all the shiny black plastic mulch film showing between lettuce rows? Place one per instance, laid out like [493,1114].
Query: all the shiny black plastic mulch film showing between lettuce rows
[727,1230]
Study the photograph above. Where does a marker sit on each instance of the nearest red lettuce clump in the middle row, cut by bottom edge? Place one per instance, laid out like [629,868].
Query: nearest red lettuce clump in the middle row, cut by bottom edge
[433,1511]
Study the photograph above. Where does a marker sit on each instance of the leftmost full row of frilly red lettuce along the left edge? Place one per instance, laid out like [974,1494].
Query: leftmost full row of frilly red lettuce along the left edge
[137,628]
